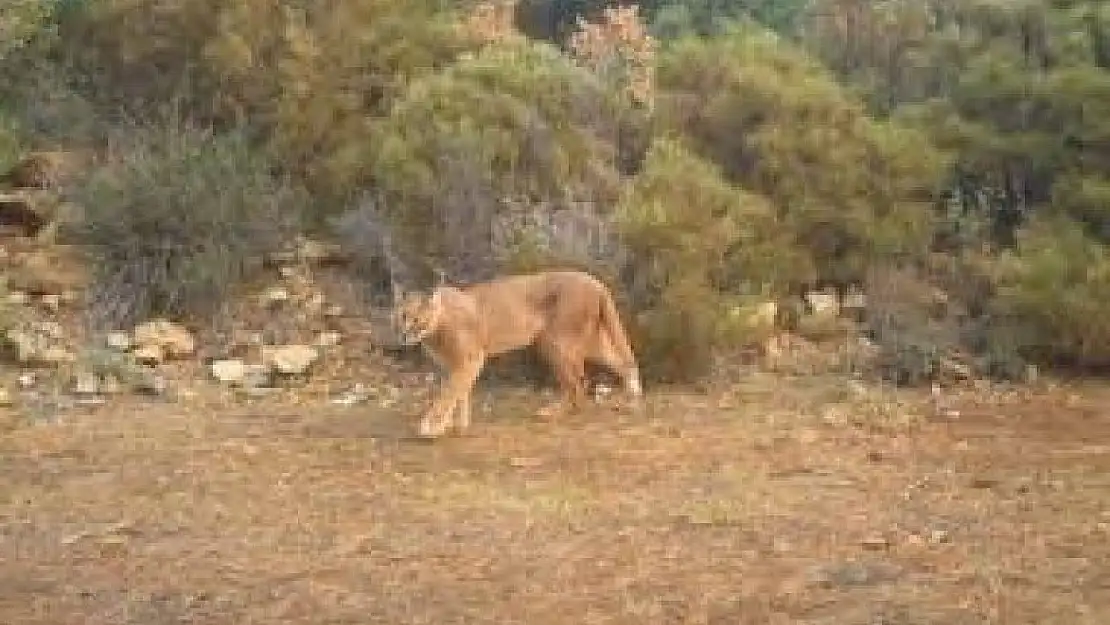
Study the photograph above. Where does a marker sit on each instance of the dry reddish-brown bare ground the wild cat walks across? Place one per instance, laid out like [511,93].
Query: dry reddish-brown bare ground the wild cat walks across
[776,502]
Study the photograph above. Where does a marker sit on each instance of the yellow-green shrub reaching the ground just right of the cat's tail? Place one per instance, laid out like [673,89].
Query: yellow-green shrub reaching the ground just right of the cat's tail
[699,249]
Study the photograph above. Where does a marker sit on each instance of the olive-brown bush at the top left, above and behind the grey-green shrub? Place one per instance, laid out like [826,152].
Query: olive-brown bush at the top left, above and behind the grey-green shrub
[306,76]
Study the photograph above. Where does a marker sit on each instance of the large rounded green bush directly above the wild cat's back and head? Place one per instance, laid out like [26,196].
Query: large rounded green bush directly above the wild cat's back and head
[504,157]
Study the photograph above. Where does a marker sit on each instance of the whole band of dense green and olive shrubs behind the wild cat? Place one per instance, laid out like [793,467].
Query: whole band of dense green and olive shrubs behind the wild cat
[700,154]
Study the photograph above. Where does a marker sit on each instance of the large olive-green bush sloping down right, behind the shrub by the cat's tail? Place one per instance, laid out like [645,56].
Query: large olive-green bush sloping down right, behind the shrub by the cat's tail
[853,191]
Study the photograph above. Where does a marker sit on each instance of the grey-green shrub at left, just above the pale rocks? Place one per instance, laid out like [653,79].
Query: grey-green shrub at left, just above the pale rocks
[178,220]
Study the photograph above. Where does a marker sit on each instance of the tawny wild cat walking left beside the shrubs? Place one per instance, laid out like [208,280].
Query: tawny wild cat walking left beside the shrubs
[570,316]
